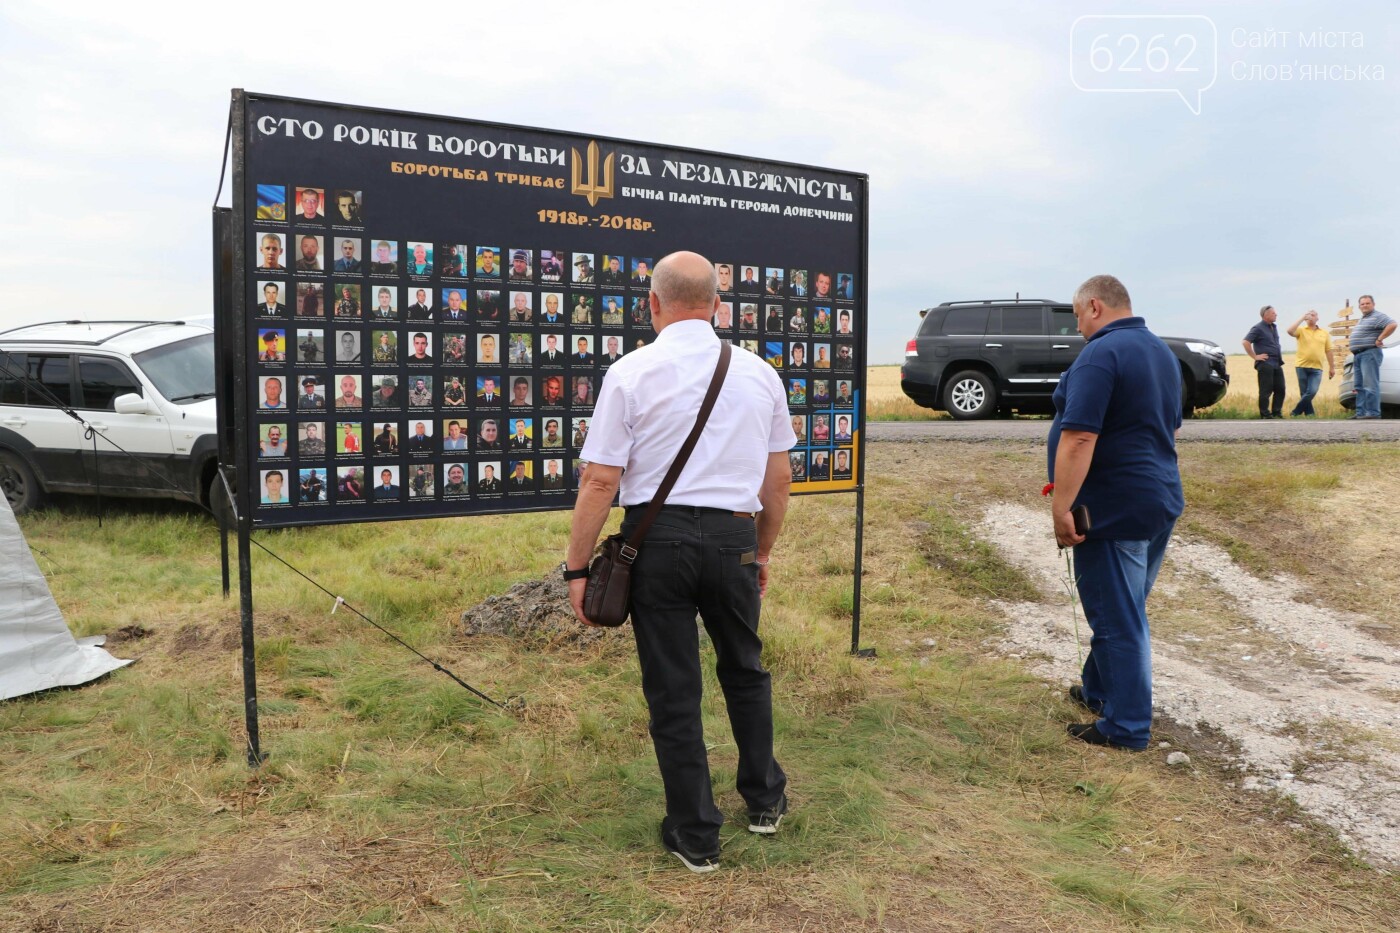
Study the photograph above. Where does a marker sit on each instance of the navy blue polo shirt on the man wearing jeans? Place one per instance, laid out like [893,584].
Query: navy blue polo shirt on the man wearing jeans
[1126,387]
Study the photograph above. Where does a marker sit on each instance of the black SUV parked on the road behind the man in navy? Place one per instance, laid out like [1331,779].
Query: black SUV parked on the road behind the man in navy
[978,359]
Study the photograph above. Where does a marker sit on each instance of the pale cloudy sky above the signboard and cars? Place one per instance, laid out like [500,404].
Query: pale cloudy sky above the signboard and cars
[992,173]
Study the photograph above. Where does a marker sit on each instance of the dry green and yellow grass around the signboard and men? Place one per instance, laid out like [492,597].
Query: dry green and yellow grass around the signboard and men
[933,787]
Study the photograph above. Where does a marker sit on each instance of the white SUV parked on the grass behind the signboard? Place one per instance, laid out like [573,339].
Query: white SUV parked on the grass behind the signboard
[148,386]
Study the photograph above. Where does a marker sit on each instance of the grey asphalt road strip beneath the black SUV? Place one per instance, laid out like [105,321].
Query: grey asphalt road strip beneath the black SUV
[1272,432]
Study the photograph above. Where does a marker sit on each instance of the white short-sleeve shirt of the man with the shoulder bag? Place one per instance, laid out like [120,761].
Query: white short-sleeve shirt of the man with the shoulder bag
[649,404]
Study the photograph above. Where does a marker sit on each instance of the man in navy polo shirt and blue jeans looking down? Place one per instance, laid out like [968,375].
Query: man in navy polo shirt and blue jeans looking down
[1112,449]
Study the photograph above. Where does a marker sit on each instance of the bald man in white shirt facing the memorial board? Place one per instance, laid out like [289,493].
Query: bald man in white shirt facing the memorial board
[705,554]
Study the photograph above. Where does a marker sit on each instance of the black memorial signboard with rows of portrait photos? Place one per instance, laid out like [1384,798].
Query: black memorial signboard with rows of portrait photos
[429,306]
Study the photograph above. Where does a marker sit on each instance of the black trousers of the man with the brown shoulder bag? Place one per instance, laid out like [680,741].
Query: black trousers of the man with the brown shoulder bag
[694,561]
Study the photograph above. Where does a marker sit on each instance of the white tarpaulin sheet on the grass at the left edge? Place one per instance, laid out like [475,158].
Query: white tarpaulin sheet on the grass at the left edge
[37,651]
